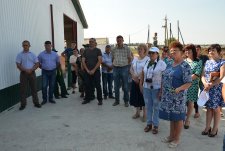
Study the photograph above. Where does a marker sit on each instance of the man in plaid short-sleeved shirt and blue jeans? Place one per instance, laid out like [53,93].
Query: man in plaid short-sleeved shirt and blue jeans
[121,56]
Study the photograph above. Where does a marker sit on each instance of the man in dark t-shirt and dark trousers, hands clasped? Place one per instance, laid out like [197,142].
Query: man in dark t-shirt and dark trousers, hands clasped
[91,61]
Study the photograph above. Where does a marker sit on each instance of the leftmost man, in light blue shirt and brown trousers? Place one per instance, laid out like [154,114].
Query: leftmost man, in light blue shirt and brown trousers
[27,63]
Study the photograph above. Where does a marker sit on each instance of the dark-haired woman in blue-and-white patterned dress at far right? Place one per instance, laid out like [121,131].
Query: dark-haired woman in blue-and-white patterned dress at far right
[213,85]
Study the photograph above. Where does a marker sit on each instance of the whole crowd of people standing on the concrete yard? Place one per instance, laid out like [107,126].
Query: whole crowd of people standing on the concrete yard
[165,83]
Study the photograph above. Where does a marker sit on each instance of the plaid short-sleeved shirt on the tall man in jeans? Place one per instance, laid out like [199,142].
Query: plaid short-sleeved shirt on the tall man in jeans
[120,56]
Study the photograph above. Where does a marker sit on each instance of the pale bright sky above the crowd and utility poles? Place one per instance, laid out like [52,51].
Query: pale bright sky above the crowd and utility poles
[201,21]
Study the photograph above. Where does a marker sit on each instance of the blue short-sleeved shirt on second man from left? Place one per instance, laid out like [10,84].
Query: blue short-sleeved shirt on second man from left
[48,61]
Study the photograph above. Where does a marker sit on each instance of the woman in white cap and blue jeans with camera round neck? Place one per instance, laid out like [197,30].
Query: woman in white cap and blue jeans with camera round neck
[151,84]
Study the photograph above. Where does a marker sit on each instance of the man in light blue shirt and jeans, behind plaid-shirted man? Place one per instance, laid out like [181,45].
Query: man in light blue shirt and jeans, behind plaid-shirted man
[107,72]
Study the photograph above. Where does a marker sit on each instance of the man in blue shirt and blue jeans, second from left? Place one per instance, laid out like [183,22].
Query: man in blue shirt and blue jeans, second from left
[49,61]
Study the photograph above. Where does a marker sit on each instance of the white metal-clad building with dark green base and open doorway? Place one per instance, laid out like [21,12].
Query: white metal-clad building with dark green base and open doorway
[36,21]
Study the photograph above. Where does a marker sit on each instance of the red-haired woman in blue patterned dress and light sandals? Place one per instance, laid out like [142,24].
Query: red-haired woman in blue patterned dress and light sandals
[176,79]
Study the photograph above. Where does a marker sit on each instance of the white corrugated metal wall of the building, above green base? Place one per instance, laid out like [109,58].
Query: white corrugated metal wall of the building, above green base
[30,20]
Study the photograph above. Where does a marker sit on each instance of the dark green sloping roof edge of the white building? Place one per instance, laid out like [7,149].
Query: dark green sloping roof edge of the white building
[80,13]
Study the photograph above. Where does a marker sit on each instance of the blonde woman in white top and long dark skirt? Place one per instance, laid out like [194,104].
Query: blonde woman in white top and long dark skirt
[136,97]
